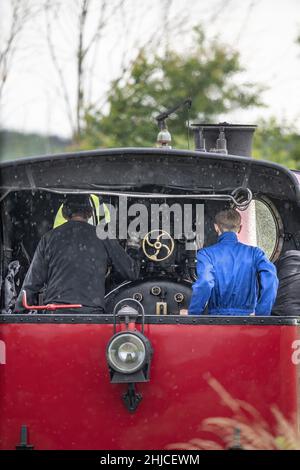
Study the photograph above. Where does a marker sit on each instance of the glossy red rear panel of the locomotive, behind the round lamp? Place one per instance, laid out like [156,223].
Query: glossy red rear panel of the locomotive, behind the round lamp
[56,381]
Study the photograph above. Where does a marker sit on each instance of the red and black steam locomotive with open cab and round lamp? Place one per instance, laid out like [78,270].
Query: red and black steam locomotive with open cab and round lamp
[136,376]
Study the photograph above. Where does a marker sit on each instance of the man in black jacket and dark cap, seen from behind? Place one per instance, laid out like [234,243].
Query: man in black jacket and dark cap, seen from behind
[71,262]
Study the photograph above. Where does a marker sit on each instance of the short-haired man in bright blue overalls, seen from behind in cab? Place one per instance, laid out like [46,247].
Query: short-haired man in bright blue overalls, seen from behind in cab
[233,278]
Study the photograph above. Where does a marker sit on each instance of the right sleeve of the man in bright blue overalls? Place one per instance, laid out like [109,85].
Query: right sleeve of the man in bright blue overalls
[268,284]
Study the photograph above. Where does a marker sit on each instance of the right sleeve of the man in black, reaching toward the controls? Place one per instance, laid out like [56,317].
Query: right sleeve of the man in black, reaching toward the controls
[125,265]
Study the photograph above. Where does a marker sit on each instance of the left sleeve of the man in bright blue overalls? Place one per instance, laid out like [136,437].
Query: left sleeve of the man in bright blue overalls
[203,286]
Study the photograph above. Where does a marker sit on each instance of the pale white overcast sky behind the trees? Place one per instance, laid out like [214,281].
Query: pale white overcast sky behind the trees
[263,31]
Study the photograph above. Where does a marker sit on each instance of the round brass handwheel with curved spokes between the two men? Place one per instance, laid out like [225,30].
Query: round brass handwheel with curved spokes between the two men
[154,248]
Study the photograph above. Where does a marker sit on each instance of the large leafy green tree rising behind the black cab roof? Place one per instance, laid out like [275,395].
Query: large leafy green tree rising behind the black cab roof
[206,74]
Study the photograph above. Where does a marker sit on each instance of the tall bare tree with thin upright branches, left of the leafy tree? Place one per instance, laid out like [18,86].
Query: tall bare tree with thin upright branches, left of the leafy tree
[89,21]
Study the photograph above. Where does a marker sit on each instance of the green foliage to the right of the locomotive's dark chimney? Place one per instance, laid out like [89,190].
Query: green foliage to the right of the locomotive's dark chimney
[277,142]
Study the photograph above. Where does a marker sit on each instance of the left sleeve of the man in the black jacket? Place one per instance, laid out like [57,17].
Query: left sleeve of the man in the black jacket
[35,278]
